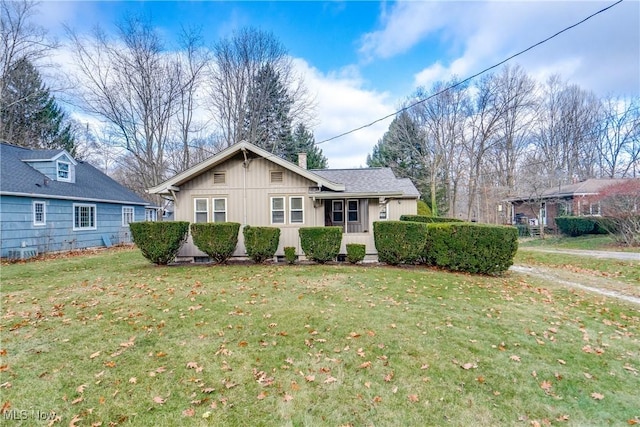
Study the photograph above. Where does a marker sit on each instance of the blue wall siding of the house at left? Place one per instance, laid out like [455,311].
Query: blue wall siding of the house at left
[57,234]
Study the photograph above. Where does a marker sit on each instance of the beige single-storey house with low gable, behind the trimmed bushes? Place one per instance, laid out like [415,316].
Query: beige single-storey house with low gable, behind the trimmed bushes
[249,185]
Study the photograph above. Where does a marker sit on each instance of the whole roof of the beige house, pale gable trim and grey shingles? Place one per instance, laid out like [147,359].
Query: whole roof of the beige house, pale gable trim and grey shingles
[374,182]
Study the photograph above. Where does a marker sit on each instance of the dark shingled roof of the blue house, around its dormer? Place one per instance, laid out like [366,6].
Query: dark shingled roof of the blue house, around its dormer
[17,177]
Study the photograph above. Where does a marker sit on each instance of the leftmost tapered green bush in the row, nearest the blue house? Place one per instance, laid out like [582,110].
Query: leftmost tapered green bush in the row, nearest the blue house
[159,241]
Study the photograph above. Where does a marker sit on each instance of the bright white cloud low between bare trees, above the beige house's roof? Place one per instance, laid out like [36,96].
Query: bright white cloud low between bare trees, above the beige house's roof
[342,105]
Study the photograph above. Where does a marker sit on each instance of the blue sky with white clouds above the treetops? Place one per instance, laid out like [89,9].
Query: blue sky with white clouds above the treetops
[361,59]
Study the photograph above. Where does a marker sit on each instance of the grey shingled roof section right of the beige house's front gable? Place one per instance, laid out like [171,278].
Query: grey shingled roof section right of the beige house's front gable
[370,181]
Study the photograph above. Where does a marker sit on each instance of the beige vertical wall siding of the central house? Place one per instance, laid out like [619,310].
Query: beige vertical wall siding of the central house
[249,191]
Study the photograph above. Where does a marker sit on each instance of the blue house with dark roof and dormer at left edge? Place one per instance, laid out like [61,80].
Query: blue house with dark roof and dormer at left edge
[50,201]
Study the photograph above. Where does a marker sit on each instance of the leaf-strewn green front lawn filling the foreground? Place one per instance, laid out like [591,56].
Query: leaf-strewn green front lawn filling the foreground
[112,339]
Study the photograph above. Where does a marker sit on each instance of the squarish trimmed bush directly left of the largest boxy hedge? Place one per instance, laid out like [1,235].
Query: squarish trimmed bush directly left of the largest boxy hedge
[399,242]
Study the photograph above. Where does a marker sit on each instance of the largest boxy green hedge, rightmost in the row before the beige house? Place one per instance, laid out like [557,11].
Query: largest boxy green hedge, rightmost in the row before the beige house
[470,247]
